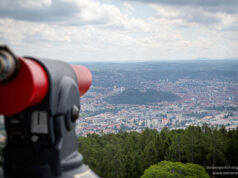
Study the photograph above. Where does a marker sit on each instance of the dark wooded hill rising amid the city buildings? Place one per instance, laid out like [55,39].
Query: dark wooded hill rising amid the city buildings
[135,96]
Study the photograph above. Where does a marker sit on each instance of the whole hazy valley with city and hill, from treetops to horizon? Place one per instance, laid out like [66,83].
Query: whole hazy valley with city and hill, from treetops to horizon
[206,93]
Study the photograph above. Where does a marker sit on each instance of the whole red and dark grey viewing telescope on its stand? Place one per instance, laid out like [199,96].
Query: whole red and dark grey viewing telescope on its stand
[40,100]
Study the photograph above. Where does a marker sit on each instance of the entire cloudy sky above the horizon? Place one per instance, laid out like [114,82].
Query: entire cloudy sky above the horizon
[120,30]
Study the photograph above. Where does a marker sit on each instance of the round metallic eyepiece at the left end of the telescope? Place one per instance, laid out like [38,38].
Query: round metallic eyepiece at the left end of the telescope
[8,64]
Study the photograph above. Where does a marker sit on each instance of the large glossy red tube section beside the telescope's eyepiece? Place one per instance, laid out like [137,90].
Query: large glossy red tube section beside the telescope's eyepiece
[28,88]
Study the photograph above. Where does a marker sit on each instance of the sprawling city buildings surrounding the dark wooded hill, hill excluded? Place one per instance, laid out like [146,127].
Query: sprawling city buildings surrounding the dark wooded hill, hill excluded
[212,101]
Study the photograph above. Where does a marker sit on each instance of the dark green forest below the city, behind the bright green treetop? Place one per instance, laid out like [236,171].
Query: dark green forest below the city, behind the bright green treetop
[130,154]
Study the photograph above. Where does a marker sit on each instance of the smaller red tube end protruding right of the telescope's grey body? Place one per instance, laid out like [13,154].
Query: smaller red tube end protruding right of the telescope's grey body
[84,78]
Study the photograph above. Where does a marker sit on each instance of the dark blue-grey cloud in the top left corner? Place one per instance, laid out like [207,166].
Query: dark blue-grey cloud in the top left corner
[42,10]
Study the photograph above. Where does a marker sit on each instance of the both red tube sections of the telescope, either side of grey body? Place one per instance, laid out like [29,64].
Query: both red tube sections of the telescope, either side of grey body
[30,85]
